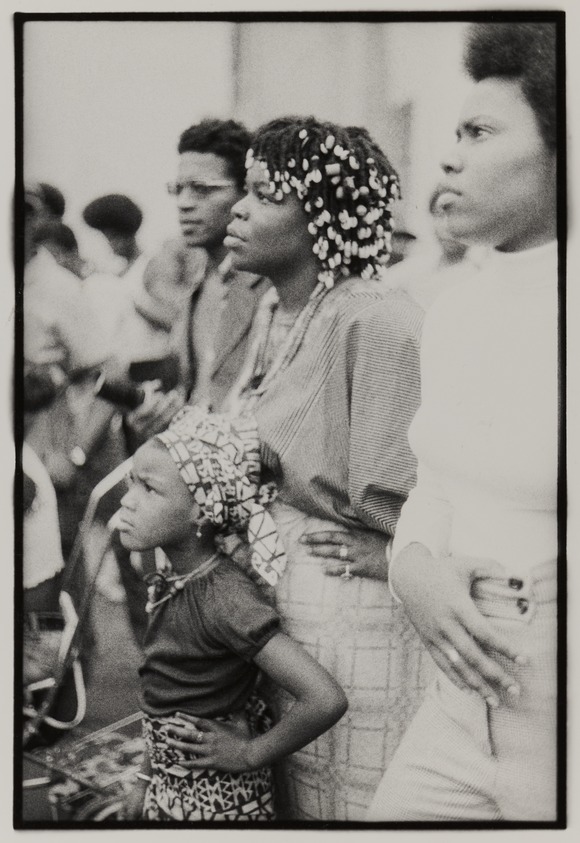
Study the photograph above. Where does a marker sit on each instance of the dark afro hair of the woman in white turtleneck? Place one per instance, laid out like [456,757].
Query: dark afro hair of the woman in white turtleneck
[524,52]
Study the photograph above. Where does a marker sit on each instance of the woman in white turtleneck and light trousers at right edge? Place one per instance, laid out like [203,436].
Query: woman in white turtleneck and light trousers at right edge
[475,552]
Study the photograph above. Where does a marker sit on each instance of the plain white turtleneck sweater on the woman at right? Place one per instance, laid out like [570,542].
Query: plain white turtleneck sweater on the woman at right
[486,432]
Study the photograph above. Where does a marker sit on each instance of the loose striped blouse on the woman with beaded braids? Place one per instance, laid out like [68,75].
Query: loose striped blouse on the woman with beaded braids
[333,425]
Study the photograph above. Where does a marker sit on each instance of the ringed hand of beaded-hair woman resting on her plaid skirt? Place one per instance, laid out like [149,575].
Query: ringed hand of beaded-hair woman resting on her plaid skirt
[363,551]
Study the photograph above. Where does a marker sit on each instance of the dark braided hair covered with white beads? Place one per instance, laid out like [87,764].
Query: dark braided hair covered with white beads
[345,184]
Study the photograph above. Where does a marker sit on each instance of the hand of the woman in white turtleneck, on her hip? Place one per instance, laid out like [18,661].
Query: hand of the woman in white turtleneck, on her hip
[436,593]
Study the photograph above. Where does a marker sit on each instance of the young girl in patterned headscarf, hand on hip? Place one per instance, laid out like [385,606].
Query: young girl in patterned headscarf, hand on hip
[211,629]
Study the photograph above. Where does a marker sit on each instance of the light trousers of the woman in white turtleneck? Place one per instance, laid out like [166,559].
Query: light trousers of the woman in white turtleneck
[462,760]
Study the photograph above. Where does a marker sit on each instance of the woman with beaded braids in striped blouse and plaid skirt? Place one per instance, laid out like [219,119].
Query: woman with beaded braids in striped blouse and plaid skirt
[332,377]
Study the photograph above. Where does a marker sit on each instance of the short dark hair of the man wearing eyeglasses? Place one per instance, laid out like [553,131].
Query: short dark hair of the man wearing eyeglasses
[226,138]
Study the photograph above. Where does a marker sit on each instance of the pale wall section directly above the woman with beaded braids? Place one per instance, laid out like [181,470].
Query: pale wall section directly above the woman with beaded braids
[403,81]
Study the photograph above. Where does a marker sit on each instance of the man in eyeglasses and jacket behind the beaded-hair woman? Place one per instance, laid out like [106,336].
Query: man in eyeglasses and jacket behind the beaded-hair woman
[213,305]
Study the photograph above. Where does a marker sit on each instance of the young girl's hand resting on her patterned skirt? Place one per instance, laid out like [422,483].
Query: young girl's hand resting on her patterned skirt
[210,744]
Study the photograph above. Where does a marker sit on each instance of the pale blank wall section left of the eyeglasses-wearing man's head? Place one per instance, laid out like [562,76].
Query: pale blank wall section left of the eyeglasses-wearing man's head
[105,103]
